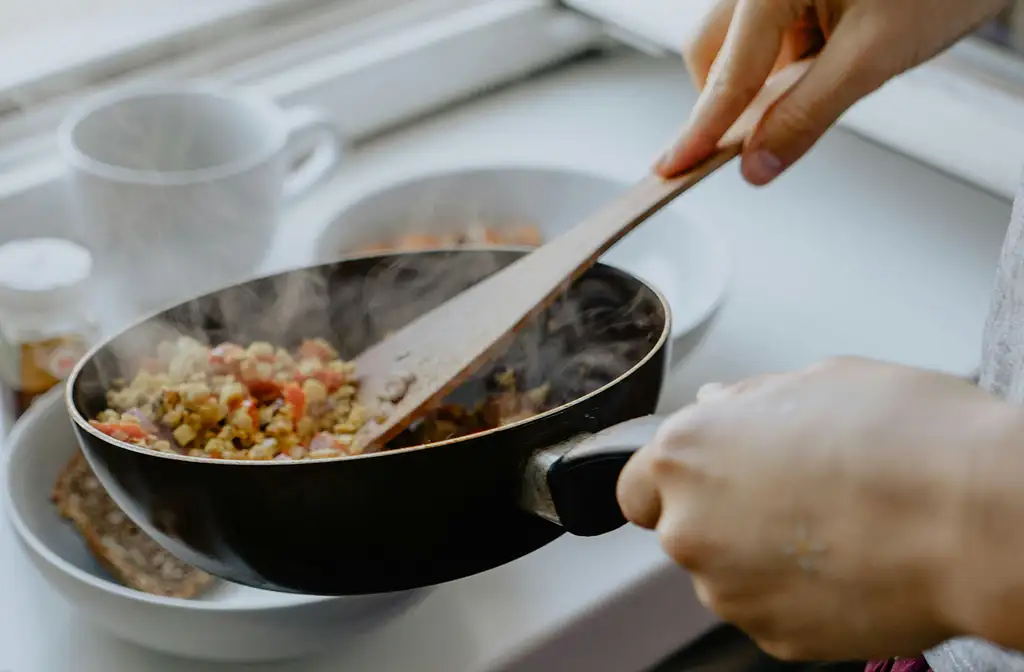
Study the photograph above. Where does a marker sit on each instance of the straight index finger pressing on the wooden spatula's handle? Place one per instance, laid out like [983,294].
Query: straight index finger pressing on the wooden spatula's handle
[751,50]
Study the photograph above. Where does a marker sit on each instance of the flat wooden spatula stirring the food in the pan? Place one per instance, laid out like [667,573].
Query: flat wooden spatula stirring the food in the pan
[415,368]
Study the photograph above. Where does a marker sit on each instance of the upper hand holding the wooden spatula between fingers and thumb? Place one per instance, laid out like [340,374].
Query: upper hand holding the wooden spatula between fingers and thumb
[863,45]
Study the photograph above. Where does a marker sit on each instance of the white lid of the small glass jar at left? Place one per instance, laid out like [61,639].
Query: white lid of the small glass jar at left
[39,274]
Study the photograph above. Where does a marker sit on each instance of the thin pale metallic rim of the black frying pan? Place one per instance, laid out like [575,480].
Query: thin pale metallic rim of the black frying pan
[83,425]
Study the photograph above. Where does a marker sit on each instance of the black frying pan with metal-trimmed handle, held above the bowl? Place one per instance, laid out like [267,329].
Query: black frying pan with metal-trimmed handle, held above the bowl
[411,517]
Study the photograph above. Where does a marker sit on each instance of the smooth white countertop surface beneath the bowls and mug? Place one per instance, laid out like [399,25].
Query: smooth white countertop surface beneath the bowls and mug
[856,251]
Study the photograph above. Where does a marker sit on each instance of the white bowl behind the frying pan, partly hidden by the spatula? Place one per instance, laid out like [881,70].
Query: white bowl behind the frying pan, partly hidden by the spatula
[687,260]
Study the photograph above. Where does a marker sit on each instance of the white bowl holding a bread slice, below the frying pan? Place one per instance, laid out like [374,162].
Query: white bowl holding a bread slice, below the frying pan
[231,624]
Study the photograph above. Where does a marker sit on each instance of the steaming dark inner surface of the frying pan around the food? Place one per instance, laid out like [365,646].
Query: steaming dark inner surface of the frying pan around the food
[585,341]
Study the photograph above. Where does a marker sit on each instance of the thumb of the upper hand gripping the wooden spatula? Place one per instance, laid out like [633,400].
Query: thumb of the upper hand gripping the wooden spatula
[854,64]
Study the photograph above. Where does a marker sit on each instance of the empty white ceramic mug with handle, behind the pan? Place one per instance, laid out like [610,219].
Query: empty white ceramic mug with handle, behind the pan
[181,187]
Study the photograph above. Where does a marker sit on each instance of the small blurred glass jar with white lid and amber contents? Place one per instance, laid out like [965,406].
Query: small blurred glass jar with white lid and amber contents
[47,323]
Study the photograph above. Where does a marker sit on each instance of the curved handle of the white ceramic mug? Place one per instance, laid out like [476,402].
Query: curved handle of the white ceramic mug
[312,131]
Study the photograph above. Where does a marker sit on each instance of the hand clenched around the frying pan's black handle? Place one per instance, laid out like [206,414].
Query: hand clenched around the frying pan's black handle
[822,512]
